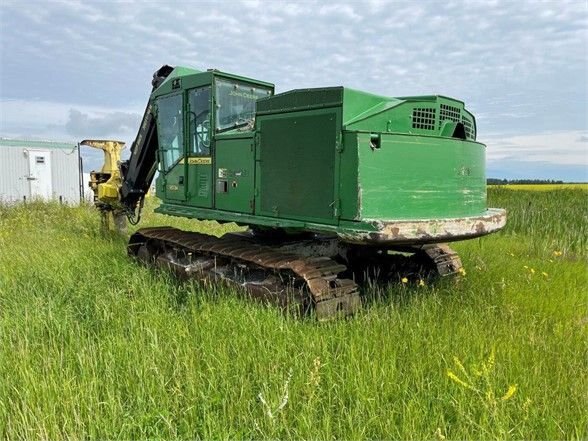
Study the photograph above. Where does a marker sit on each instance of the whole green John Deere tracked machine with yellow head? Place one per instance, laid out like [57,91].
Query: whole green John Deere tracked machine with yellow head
[337,186]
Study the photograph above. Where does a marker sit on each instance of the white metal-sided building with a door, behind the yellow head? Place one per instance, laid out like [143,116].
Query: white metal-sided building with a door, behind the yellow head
[40,170]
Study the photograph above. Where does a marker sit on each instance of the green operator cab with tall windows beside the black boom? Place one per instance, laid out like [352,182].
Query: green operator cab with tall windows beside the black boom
[192,108]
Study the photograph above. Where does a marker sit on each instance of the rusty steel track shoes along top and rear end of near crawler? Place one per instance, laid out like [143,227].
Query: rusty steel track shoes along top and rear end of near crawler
[331,295]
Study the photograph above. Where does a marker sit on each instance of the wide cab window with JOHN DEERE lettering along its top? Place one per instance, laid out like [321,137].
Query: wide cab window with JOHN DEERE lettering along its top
[235,103]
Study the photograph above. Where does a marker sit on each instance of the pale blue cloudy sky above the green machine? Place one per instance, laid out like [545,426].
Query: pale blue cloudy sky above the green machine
[72,70]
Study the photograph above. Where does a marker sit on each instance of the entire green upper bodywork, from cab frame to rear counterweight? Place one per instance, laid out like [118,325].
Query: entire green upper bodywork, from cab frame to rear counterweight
[327,159]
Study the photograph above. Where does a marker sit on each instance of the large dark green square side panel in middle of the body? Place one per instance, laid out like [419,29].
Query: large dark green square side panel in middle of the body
[296,164]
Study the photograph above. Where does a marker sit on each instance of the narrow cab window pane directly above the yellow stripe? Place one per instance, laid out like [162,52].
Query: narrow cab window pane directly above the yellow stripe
[199,121]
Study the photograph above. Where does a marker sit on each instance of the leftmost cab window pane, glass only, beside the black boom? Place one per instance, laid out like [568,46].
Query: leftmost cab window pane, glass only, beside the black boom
[170,129]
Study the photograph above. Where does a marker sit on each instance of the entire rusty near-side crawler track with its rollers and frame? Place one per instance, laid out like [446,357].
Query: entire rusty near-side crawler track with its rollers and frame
[272,275]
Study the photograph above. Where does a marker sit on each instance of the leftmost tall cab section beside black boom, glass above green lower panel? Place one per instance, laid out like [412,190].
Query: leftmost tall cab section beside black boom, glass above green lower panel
[170,130]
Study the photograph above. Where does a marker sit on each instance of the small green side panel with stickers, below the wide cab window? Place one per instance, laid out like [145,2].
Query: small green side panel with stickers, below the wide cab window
[235,174]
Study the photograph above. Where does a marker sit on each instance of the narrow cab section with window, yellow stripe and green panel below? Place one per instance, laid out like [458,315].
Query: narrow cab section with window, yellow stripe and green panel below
[199,153]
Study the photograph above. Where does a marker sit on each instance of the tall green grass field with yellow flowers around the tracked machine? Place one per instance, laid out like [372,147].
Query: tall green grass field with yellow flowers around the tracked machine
[94,346]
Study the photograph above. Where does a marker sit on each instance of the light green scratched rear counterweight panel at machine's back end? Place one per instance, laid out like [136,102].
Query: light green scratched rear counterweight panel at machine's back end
[420,177]
